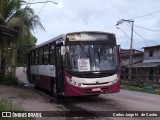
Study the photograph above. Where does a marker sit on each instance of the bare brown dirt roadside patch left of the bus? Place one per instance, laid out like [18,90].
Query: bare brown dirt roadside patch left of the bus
[30,100]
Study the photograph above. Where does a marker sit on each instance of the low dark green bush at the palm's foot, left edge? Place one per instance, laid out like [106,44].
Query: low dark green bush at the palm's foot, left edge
[9,80]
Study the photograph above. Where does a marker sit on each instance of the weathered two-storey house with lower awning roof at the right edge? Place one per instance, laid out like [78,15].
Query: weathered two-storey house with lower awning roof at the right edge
[149,69]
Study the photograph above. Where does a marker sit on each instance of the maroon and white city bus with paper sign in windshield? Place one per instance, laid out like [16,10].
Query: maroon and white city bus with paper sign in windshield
[76,64]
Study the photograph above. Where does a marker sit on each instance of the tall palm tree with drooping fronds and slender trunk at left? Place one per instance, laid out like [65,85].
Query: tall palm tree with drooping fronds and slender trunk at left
[24,20]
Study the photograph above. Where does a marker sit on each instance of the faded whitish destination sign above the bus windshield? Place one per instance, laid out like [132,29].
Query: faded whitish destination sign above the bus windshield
[87,37]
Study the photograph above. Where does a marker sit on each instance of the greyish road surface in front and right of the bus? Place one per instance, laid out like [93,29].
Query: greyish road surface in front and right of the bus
[123,101]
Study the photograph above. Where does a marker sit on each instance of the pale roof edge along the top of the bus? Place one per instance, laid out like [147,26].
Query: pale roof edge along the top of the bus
[62,36]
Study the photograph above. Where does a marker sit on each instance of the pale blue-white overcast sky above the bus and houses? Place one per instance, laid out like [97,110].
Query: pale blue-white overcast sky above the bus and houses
[101,15]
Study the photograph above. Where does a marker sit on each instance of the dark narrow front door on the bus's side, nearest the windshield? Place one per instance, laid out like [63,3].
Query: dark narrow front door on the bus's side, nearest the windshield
[59,72]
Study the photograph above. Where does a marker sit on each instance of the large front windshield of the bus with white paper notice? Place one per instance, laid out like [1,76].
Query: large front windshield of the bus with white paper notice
[81,58]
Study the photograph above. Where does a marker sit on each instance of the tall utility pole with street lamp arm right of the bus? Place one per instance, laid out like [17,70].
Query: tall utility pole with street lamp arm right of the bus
[131,44]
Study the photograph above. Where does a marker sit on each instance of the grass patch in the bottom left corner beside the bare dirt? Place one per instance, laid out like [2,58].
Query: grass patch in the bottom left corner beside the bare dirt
[6,105]
